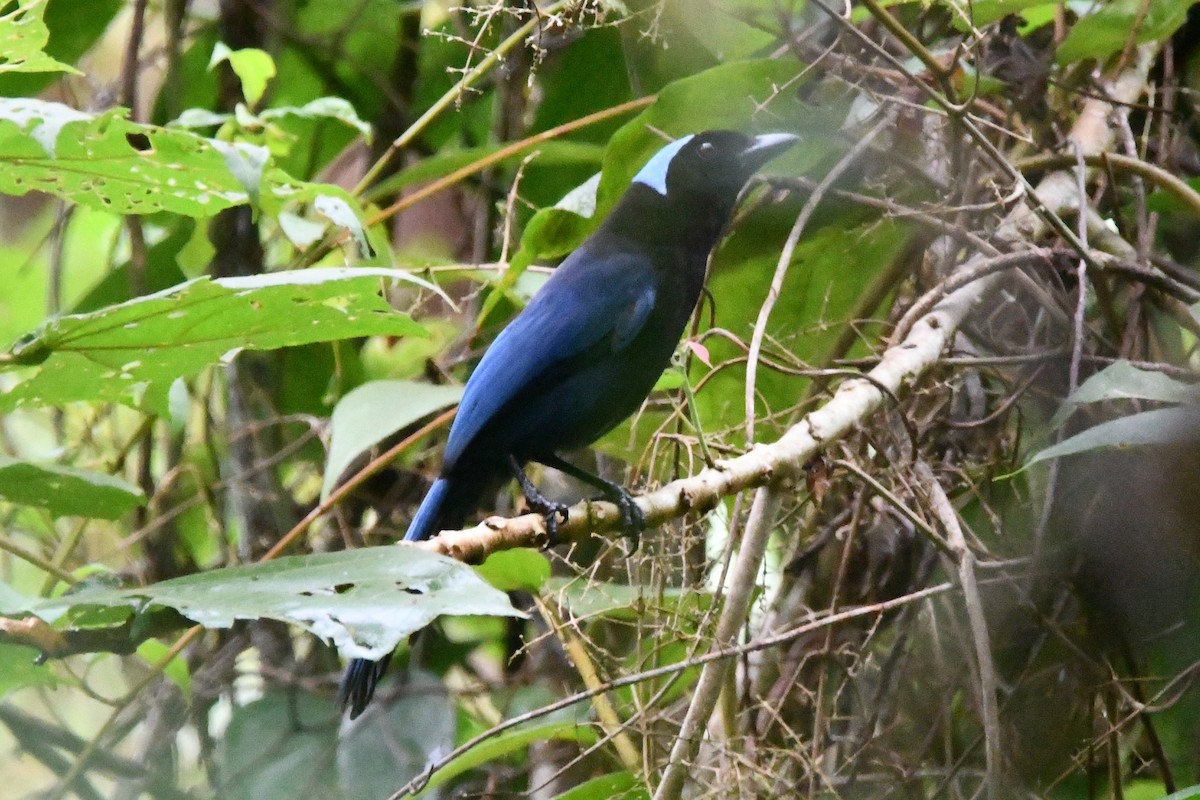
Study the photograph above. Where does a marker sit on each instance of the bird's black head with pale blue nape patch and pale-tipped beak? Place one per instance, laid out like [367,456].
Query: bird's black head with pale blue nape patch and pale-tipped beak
[710,167]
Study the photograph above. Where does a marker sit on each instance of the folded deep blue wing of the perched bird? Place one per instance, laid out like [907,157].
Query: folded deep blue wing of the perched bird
[587,299]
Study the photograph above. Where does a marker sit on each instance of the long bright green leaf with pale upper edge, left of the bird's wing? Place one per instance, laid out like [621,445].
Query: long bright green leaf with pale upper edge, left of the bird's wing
[131,353]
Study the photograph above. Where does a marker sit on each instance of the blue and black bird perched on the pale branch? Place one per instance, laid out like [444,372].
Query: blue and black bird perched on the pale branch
[590,346]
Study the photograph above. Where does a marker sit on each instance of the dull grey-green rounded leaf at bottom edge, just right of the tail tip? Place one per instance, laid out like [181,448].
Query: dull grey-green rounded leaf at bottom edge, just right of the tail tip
[393,743]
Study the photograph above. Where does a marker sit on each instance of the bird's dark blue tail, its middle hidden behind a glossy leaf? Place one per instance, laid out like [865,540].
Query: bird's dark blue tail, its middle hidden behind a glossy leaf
[445,508]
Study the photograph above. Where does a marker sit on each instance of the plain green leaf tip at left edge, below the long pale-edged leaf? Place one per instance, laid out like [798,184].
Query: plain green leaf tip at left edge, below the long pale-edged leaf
[67,492]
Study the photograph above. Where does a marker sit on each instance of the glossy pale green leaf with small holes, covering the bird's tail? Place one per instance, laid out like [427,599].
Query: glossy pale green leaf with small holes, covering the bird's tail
[365,601]
